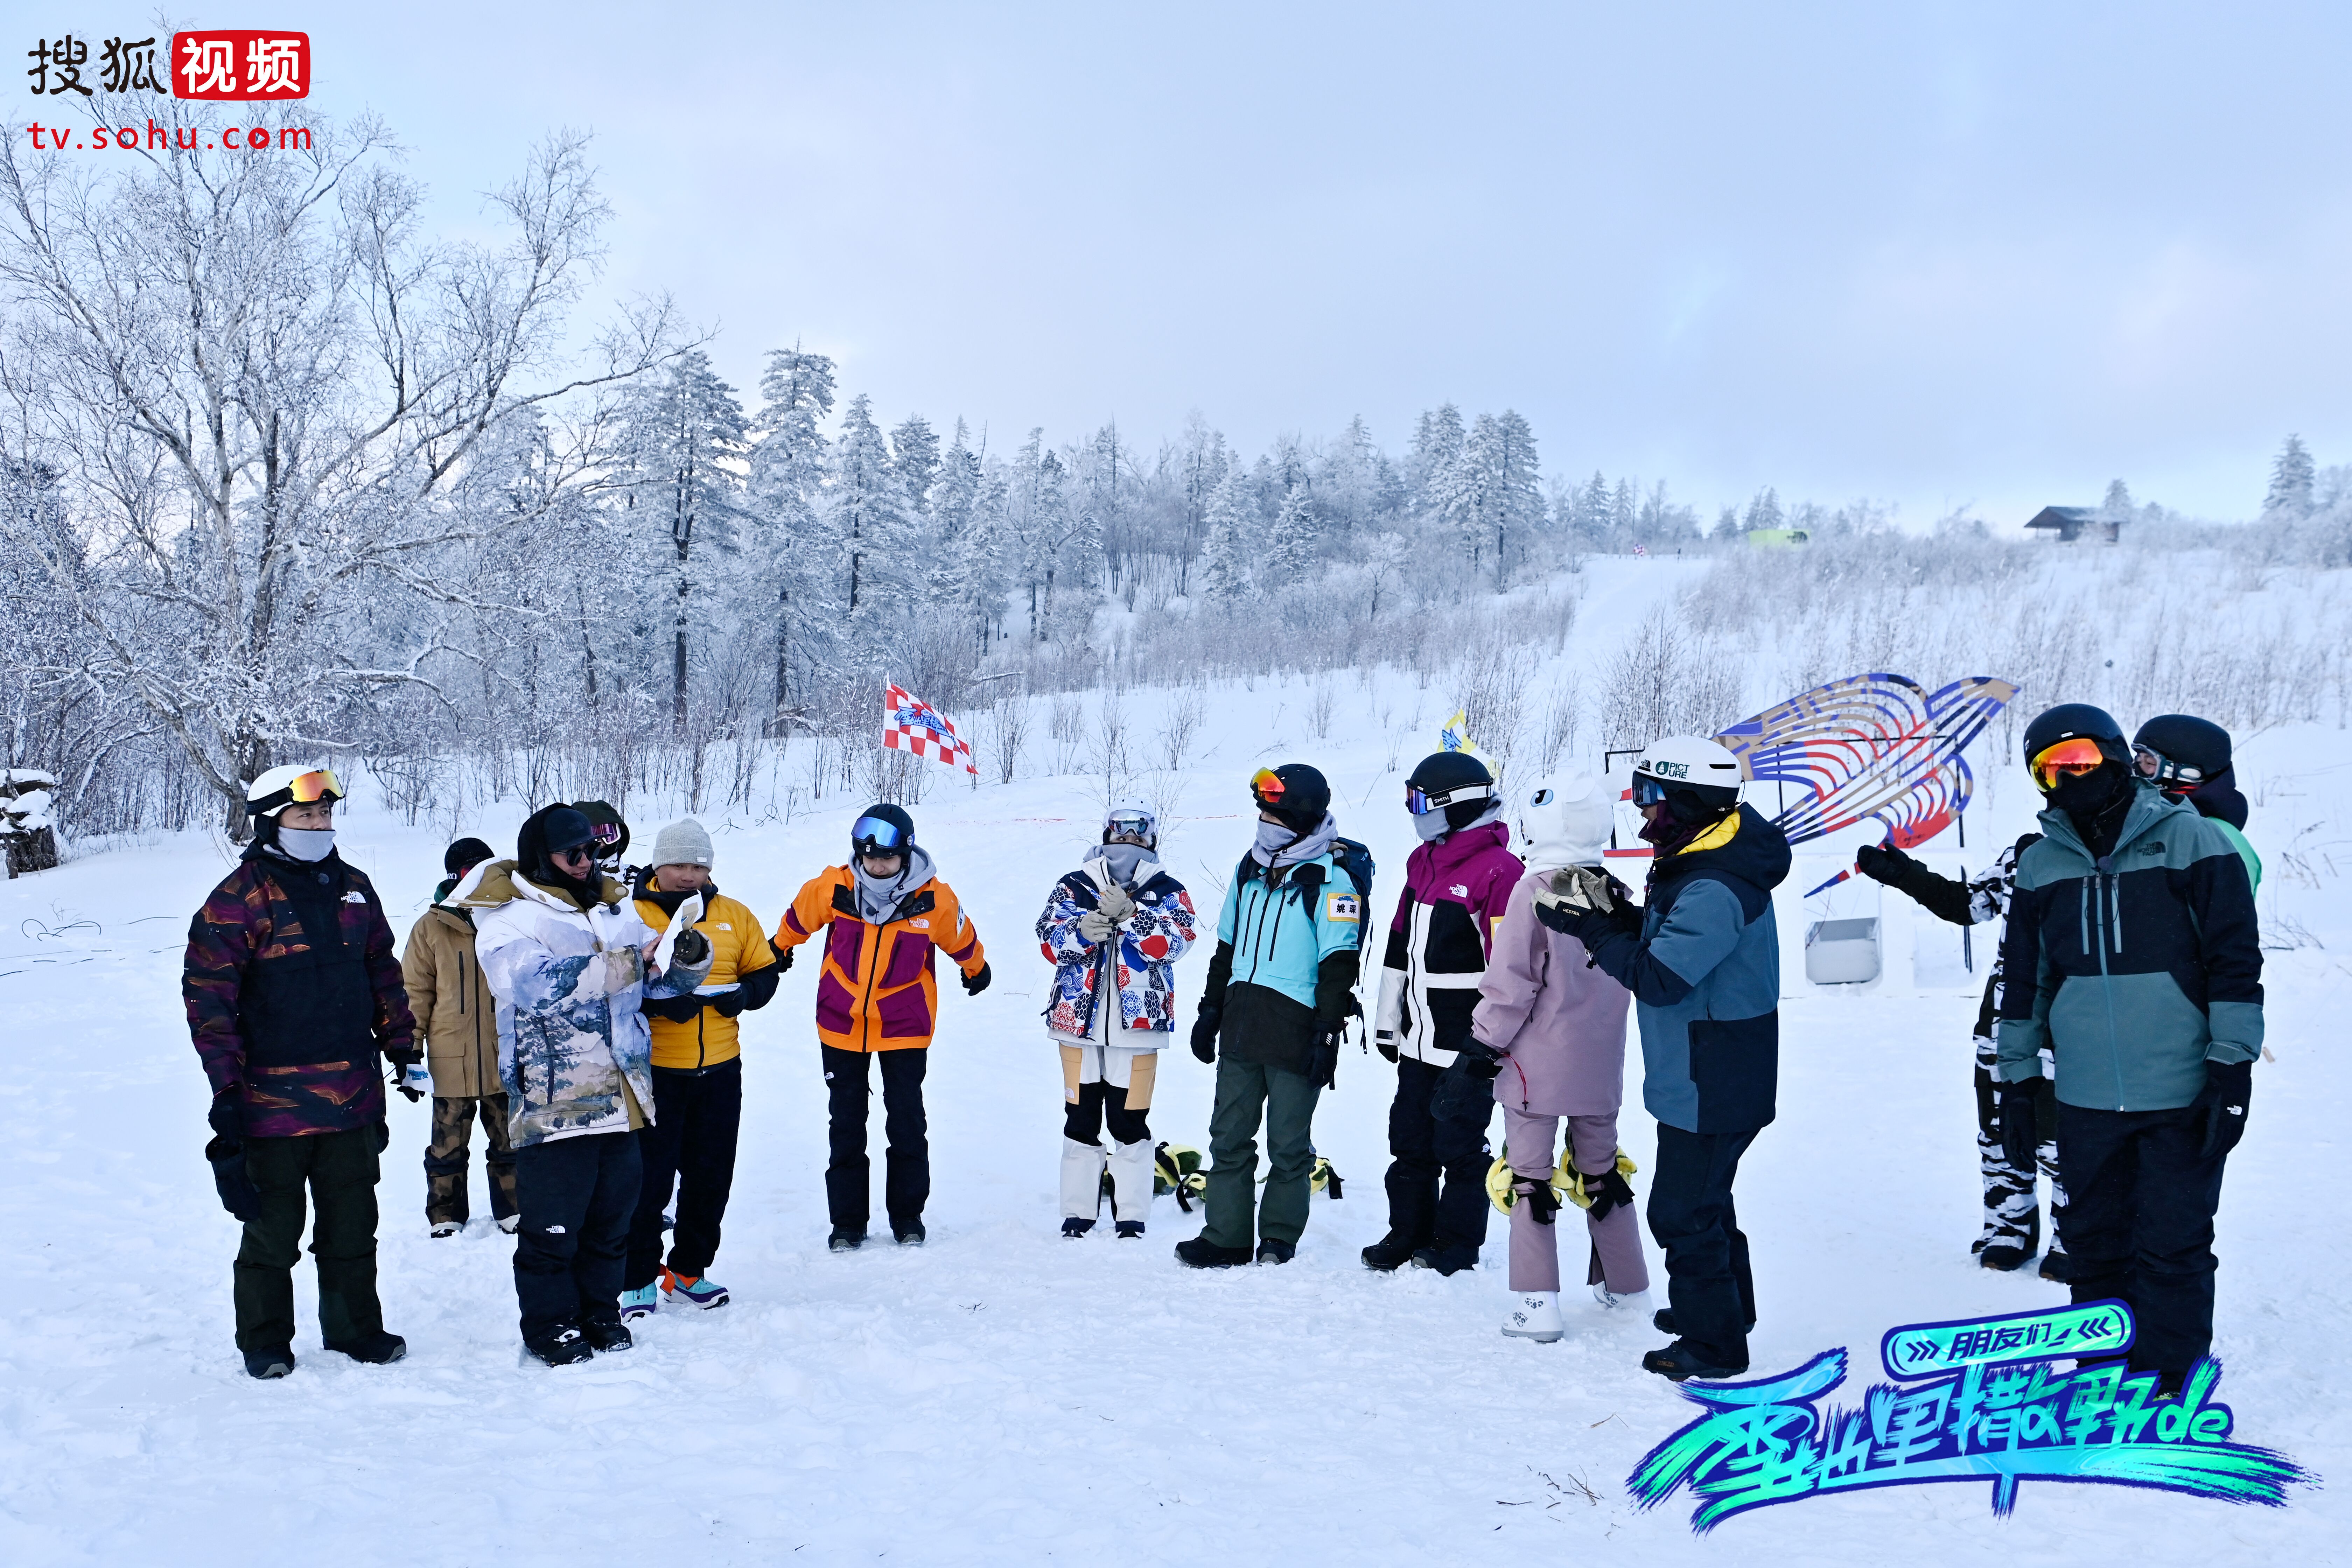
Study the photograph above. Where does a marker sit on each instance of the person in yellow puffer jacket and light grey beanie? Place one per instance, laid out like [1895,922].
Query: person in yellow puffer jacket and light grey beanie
[697,1078]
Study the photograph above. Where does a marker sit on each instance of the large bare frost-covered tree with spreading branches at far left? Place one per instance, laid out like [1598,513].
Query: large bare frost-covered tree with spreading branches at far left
[262,380]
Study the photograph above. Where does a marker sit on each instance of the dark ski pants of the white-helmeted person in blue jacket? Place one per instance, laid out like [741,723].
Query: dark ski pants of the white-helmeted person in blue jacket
[1706,1257]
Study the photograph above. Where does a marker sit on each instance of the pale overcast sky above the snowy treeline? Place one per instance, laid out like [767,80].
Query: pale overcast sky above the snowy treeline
[1942,255]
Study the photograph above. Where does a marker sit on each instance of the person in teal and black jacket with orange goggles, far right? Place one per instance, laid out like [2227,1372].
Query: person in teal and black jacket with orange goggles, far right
[2137,963]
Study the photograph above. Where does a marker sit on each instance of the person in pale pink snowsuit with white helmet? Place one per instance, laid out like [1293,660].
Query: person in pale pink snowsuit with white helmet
[1561,1028]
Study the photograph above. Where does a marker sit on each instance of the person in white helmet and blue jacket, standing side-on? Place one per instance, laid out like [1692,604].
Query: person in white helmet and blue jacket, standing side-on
[1702,960]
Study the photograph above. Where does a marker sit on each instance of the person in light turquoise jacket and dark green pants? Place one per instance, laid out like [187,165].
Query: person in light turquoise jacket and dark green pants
[1271,1017]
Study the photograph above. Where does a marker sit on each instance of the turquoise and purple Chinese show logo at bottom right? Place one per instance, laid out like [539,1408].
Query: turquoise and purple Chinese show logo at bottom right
[1972,1402]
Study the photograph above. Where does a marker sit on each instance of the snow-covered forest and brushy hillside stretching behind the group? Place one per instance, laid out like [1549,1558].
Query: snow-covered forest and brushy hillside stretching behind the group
[288,476]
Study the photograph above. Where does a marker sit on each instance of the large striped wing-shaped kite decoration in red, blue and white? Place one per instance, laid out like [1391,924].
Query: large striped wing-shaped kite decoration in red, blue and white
[1871,749]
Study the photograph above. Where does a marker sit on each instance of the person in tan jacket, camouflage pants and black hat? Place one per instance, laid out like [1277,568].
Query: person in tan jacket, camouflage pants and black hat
[460,1024]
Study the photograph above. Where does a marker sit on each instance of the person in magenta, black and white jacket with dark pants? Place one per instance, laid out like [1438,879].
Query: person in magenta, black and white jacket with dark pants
[1457,887]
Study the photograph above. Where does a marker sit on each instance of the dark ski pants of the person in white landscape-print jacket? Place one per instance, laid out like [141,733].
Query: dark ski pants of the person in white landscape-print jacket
[577,1195]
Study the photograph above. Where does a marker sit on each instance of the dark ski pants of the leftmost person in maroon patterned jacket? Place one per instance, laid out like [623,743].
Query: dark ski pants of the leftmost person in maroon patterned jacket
[340,1174]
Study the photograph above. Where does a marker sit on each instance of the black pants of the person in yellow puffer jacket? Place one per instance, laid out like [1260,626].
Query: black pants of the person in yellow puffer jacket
[690,1144]
